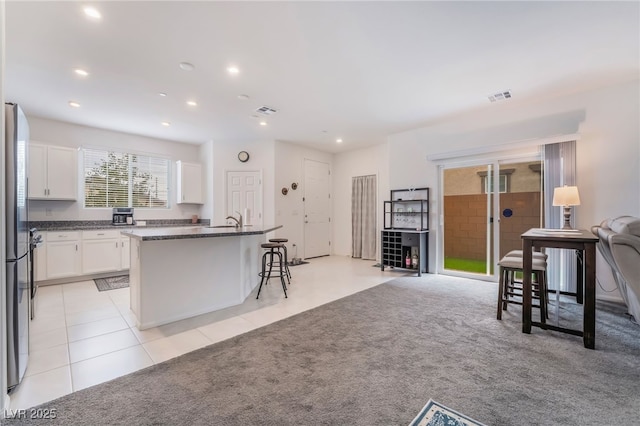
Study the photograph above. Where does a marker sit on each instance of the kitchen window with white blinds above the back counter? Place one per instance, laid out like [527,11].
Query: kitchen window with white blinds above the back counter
[120,179]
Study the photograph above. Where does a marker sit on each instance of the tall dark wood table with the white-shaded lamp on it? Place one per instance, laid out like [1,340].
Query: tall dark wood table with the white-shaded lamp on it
[583,242]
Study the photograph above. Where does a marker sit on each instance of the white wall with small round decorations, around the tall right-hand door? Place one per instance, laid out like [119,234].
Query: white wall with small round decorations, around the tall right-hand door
[289,209]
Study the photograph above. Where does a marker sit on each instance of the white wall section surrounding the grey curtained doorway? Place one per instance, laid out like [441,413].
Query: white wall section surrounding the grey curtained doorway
[361,162]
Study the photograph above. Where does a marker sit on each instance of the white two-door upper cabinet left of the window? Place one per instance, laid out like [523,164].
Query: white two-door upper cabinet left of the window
[53,172]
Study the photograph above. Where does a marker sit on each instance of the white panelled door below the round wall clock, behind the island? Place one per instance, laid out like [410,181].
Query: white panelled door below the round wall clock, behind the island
[244,195]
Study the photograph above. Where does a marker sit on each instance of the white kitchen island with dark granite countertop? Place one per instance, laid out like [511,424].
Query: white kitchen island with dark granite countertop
[179,273]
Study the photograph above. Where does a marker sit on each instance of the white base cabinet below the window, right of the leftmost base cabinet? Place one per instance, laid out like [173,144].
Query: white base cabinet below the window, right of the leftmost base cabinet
[100,251]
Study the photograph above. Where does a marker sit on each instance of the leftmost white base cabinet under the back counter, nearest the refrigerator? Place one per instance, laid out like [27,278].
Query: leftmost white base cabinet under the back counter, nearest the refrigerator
[63,254]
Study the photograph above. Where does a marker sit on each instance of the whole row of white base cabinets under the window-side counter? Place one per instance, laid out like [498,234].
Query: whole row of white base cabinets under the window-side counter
[68,254]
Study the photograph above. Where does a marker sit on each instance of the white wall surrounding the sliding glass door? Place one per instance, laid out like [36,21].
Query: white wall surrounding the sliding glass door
[608,152]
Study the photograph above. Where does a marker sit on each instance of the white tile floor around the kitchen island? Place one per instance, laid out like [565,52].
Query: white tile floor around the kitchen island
[82,337]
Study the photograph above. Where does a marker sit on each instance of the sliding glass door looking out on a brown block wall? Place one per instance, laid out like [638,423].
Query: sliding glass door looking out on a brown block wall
[486,207]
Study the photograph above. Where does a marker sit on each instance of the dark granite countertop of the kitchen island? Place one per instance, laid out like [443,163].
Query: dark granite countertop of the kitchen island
[150,234]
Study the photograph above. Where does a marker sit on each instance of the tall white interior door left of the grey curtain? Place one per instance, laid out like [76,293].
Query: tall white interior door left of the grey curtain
[317,207]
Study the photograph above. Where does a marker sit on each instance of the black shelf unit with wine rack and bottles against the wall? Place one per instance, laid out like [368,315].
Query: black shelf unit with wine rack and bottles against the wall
[406,230]
